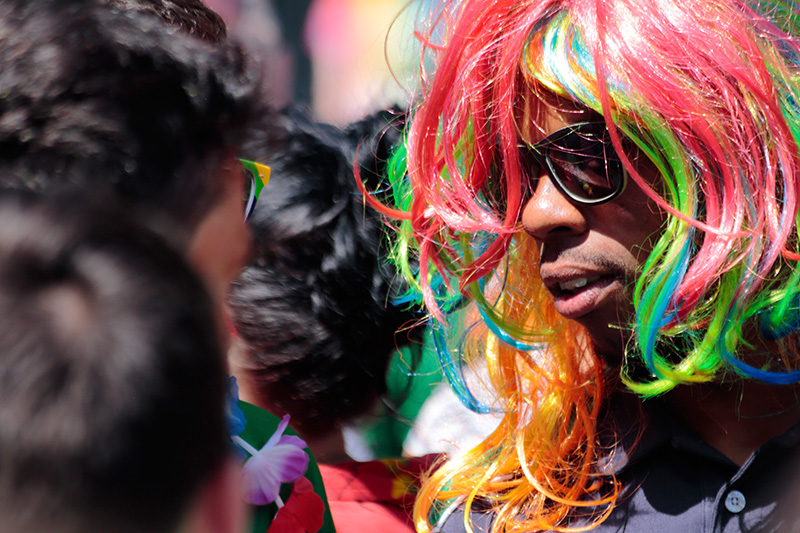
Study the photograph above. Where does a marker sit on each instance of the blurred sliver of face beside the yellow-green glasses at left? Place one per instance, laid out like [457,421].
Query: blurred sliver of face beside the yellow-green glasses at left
[221,245]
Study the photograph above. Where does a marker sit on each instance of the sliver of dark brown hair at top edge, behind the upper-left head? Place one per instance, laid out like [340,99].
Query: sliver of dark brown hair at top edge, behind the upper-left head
[192,16]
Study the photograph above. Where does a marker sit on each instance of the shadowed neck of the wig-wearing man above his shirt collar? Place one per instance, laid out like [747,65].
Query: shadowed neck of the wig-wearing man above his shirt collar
[737,418]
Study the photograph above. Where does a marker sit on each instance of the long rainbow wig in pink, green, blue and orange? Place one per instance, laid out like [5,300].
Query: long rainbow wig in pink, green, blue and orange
[709,91]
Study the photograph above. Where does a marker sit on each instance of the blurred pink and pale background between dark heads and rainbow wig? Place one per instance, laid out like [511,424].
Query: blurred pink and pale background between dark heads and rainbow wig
[341,58]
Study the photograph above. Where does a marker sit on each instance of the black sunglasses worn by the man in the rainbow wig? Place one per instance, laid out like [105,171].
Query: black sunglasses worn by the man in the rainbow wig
[581,162]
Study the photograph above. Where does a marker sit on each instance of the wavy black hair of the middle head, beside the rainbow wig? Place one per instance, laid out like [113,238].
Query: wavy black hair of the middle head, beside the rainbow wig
[315,308]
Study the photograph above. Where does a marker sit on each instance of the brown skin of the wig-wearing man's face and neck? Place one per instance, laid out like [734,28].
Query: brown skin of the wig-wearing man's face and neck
[611,241]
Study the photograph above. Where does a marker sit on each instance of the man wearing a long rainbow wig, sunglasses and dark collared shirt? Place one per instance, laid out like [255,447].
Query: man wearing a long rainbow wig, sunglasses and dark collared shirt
[603,197]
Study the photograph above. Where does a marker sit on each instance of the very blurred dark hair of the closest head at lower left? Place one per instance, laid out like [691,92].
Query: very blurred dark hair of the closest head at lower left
[112,378]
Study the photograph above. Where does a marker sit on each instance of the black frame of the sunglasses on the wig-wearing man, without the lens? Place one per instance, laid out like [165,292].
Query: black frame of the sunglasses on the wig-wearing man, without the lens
[540,152]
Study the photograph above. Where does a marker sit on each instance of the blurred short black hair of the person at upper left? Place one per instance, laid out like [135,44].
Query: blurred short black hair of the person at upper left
[113,100]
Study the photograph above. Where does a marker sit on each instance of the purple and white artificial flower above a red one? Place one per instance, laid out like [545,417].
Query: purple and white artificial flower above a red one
[281,460]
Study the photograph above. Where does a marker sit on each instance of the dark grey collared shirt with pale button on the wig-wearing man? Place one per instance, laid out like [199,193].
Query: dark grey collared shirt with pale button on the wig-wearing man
[675,482]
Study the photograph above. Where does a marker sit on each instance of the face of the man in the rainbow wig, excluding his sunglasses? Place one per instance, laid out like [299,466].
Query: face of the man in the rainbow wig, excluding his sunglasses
[590,254]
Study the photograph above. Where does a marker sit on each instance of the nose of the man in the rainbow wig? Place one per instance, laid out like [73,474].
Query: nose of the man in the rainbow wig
[549,213]
